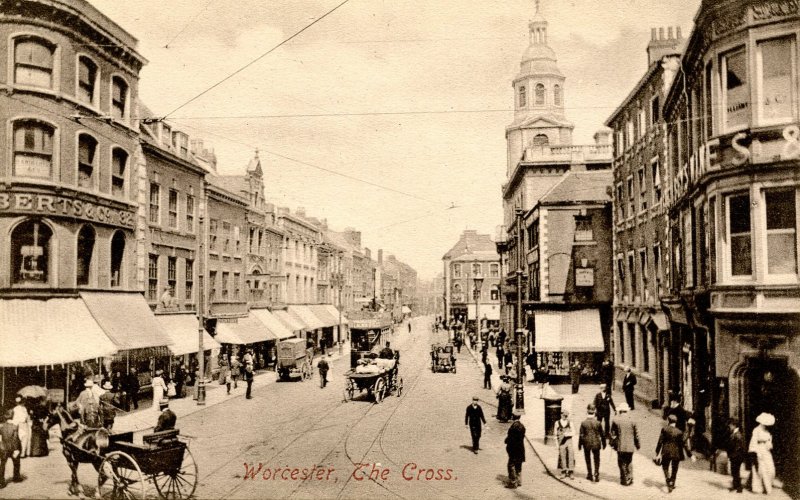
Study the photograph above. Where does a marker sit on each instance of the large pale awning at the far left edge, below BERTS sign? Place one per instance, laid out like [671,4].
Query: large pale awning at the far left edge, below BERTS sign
[47,332]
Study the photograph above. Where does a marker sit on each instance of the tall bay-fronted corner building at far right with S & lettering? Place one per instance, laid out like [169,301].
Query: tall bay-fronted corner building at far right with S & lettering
[733,161]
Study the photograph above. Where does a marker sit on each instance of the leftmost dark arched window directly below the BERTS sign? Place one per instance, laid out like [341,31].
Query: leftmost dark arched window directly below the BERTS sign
[30,253]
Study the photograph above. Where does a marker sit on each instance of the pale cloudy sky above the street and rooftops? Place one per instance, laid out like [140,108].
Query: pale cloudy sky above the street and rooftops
[416,96]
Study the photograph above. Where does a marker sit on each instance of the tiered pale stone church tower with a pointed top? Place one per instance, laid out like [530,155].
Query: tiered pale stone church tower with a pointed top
[538,98]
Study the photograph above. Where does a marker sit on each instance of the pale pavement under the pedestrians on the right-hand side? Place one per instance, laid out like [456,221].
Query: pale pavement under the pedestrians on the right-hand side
[695,479]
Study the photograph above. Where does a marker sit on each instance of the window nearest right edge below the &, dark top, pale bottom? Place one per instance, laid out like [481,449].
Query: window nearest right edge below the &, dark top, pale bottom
[781,231]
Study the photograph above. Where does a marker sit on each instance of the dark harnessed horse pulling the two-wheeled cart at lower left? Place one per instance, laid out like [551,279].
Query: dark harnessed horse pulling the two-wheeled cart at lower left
[79,443]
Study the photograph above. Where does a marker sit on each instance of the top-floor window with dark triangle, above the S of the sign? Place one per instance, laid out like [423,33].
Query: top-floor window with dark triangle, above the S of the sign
[736,90]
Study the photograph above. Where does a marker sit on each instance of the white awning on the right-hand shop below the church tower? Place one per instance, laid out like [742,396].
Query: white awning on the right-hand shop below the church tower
[569,331]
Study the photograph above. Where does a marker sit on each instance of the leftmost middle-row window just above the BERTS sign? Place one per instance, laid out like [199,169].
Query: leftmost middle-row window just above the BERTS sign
[33,149]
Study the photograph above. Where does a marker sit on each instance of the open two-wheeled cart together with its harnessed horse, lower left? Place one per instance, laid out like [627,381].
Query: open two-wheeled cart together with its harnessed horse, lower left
[124,468]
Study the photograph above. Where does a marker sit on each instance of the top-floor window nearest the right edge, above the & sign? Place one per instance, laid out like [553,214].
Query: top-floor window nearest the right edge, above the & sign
[776,71]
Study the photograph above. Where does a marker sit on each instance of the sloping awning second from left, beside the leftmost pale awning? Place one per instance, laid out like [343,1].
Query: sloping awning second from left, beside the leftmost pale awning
[127,319]
